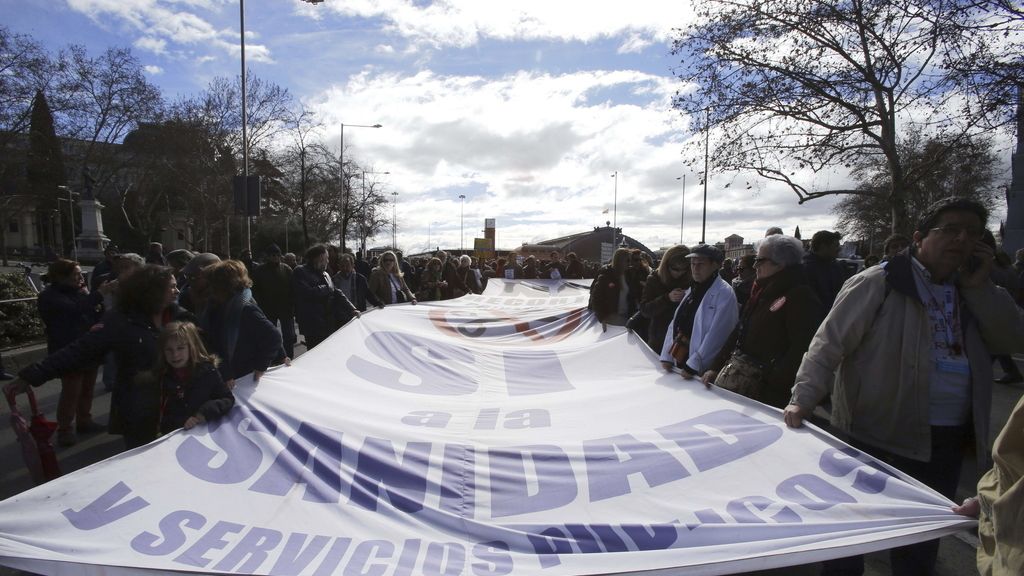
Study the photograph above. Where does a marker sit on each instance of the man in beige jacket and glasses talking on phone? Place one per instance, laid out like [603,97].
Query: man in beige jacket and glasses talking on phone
[914,341]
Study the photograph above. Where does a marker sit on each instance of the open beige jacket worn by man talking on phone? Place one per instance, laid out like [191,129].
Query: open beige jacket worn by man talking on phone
[878,336]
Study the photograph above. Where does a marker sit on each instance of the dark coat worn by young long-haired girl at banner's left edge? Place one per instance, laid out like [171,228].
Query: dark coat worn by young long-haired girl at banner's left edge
[205,394]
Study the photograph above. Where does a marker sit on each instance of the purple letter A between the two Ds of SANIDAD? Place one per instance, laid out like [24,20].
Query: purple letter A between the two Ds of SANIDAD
[609,477]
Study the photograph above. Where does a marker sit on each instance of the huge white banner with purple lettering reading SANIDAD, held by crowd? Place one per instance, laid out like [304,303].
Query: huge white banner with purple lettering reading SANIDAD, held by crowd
[501,434]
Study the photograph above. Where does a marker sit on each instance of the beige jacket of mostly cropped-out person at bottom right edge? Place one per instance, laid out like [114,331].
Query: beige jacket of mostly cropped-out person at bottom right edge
[1001,527]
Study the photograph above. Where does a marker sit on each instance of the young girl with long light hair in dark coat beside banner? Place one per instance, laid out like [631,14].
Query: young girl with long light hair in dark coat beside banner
[192,391]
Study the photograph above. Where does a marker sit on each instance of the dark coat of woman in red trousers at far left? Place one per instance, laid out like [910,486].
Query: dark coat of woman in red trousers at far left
[68,313]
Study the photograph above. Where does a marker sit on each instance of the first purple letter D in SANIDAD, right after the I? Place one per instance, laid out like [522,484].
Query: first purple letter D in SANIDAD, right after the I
[509,485]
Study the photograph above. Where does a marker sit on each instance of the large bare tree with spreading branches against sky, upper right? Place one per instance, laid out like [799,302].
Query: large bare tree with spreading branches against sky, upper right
[793,88]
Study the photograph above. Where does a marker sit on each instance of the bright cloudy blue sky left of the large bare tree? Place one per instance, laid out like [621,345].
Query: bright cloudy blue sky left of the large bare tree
[527,108]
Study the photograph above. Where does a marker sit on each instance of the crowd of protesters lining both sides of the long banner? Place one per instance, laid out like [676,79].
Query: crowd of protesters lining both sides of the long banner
[901,354]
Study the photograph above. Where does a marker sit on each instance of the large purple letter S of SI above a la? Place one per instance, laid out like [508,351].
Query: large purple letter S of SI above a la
[440,366]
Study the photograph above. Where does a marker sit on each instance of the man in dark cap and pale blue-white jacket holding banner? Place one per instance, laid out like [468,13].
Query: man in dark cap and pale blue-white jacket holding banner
[705,318]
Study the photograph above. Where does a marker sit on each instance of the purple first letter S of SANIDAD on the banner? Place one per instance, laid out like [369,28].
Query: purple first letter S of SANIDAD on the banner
[243,456]
